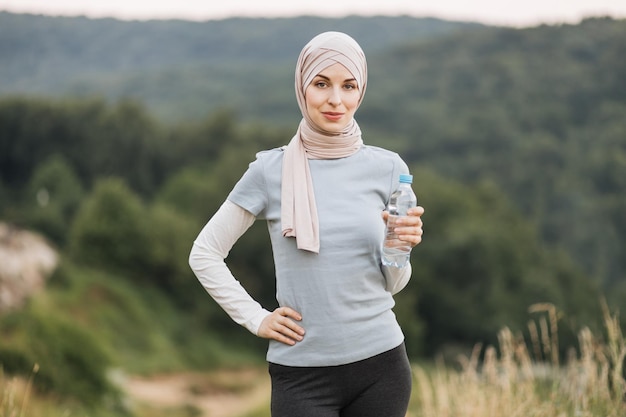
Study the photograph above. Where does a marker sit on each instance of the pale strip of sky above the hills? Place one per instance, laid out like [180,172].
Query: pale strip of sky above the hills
[494,12]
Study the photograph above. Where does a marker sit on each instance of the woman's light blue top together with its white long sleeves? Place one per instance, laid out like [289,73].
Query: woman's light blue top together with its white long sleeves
[343,293]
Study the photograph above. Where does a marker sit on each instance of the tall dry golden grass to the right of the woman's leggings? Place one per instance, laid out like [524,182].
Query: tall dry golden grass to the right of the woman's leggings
[509,381]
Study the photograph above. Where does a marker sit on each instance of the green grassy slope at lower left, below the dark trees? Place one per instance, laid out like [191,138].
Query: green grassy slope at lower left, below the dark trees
[90,325]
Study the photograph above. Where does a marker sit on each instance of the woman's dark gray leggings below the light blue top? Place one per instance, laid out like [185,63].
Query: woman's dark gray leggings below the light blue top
[376,387]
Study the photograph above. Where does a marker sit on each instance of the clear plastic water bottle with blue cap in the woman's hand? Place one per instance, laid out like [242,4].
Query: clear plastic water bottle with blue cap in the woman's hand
[396,252]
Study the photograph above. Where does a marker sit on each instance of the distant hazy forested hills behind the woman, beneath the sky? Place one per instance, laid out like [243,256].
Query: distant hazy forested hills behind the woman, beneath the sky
[539,111]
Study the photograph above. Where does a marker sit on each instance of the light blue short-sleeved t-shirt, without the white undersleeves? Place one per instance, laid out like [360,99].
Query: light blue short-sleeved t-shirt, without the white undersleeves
[340,292]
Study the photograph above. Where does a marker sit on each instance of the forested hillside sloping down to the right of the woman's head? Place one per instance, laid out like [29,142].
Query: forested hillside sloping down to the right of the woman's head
[521,108]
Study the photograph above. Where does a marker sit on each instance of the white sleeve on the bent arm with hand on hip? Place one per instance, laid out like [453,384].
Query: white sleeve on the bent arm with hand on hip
[206,260]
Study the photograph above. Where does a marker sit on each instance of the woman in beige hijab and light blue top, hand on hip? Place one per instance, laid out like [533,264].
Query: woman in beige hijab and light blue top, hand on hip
[335,347]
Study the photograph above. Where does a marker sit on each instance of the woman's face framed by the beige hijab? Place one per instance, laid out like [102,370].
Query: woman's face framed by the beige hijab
[332,98]
